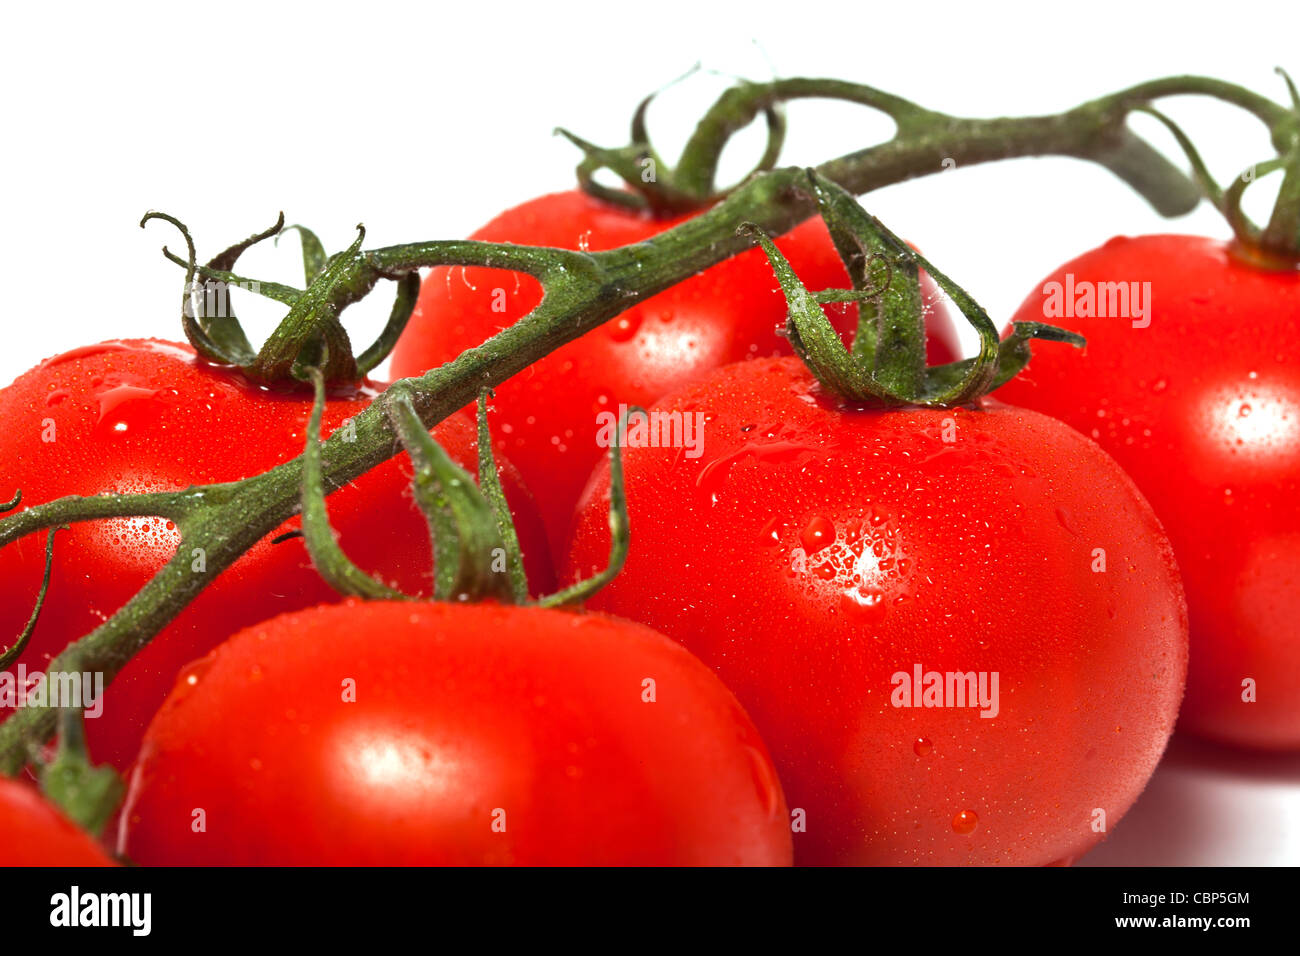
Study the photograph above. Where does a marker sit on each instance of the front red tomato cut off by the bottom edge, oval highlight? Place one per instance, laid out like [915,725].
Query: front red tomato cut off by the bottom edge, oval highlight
[479,736]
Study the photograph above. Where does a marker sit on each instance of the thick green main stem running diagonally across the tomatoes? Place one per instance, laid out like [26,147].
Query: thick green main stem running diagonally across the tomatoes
[582,292]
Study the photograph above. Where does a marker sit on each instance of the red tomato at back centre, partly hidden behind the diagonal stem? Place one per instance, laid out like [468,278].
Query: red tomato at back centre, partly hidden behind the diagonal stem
[547,417]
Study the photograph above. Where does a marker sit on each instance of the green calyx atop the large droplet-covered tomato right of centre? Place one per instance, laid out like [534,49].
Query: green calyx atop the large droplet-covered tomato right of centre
[887,367]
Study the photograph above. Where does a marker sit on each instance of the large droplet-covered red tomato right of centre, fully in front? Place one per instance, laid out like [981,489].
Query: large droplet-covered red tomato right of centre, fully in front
[812,553]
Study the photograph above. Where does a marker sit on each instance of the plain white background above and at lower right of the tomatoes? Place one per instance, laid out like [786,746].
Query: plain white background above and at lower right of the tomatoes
[424,122]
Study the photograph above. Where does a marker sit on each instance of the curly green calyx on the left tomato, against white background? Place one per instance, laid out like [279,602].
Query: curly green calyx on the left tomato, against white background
[311,334]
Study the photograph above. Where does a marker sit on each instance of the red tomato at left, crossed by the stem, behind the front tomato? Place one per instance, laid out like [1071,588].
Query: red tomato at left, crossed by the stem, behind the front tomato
[145,416]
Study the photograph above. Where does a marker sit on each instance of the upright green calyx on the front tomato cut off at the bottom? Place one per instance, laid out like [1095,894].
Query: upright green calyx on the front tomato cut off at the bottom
[476,548]
